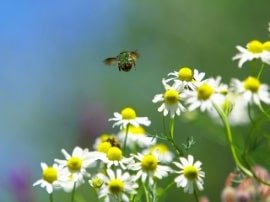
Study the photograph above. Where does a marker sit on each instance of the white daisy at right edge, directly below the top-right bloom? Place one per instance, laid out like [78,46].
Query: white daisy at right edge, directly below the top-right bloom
[251,90]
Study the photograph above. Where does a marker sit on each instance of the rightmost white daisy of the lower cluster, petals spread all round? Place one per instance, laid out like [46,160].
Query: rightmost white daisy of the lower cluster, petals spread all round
[190,174]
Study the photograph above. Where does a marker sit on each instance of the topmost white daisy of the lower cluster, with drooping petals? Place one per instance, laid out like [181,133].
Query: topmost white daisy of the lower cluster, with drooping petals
[128,117]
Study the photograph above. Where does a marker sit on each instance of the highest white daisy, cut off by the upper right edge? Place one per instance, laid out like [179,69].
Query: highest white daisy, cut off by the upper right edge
[254,50]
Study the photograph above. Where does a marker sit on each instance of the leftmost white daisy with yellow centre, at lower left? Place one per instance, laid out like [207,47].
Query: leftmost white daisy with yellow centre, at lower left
[50,177]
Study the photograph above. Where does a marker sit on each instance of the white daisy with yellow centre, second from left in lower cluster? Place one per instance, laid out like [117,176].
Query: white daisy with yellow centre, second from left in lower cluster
[77,163]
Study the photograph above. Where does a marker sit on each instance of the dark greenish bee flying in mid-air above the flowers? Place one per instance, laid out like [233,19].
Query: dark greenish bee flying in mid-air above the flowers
[125,60]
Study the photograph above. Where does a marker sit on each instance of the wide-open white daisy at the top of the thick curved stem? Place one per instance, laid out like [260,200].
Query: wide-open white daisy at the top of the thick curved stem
[209,92]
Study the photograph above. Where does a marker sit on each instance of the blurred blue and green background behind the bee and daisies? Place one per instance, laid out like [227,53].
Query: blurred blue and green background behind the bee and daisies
[56,92]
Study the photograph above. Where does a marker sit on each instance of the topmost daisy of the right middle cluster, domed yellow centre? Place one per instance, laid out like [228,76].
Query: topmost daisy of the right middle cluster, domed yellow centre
[187,77]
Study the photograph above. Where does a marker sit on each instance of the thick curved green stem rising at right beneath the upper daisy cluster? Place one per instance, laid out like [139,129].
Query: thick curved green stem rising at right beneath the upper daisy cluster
[226,123]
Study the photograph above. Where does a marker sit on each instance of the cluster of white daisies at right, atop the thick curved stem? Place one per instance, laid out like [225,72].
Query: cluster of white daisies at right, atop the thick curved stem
[190,90]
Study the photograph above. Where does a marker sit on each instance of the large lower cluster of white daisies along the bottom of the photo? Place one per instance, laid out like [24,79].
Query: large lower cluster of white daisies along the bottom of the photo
[117,176]
